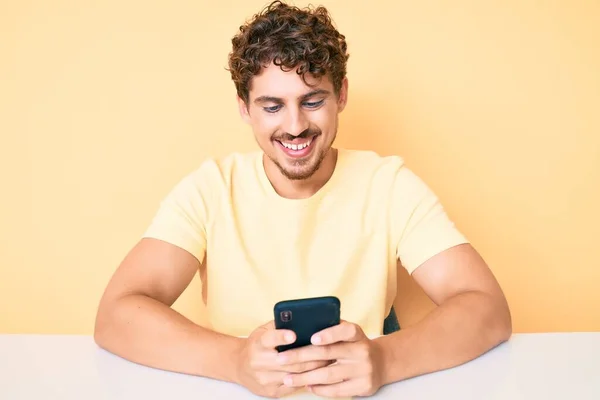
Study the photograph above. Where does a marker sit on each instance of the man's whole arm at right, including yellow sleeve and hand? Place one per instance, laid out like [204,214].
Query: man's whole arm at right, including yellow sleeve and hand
[472,314]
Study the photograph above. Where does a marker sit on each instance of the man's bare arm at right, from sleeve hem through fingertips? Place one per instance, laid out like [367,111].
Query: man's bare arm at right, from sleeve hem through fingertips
[472,318]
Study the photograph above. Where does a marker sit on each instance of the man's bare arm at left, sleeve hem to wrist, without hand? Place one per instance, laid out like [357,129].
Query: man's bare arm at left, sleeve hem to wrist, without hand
[135,319]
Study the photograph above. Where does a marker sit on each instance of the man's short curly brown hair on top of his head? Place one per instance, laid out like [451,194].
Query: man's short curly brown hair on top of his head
[288,37]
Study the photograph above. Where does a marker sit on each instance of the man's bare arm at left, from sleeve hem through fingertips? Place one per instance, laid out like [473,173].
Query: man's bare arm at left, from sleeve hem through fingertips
[135,321]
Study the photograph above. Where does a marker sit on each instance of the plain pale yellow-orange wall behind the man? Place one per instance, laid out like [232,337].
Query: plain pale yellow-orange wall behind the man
[105,105]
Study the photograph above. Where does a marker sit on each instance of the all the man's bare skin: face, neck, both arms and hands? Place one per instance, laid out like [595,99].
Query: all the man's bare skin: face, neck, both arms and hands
[135,319]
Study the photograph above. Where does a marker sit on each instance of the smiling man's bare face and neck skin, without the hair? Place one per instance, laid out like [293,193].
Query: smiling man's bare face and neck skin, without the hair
[281,108]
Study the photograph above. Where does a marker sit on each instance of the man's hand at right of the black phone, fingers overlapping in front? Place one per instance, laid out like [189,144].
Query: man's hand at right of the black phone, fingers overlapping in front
[355,372]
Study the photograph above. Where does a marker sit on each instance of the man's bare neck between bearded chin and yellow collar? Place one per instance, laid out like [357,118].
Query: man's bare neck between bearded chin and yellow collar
[301,189]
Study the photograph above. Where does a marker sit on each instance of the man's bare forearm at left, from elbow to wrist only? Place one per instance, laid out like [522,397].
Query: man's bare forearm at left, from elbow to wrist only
[145,331]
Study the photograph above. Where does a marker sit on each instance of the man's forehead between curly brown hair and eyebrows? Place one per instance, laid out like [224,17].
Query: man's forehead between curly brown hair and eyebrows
[273,81]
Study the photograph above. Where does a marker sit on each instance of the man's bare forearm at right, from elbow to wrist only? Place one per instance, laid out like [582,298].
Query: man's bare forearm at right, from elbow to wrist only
[461,329]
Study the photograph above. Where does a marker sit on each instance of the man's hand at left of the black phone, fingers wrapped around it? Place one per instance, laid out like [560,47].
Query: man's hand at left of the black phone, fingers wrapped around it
[258,369]
